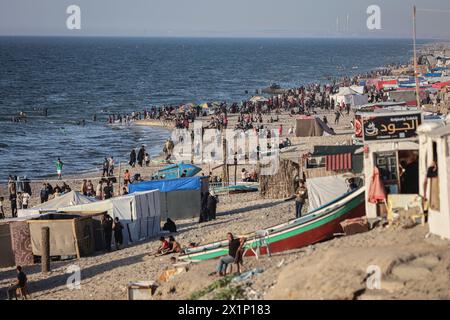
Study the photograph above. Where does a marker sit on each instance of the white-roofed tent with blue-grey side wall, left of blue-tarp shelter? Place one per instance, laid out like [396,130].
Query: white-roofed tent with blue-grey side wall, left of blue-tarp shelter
[139,213]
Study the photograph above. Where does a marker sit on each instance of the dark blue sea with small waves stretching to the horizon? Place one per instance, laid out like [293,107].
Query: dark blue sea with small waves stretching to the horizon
[76,78]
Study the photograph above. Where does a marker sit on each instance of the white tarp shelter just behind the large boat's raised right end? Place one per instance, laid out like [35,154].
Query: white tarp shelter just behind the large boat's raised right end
[324,190]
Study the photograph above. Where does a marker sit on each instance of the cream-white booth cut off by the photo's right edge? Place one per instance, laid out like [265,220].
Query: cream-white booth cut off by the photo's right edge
[434,141]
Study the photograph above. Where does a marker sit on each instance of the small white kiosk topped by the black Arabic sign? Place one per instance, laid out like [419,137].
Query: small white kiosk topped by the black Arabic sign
[390,140]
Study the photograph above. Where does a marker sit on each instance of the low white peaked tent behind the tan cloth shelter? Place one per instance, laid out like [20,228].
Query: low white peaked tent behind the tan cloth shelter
[66,200]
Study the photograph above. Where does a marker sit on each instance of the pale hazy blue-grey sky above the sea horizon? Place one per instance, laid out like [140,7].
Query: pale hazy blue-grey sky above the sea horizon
[225,18]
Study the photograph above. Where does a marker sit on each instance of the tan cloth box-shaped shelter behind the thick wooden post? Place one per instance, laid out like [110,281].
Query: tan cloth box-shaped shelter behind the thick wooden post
[70,234]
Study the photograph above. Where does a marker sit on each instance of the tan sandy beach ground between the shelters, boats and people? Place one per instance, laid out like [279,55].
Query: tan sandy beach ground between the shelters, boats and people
[413,264]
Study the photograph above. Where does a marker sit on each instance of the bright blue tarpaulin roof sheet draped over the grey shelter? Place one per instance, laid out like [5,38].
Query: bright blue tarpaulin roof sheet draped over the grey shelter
[193,183]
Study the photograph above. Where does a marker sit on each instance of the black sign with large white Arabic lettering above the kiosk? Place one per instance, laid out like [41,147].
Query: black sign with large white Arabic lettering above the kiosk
[391,127]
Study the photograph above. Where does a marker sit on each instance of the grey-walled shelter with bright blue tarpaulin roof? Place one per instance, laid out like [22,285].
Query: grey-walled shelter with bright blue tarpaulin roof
[179,198]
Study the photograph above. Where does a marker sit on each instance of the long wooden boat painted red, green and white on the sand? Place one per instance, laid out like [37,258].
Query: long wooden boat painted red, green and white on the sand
[318,225]
